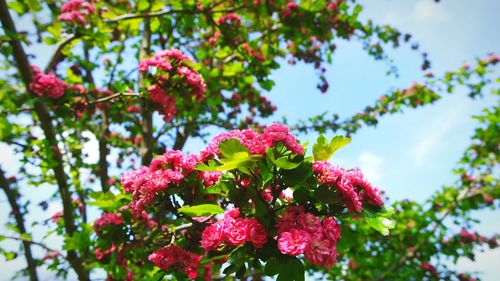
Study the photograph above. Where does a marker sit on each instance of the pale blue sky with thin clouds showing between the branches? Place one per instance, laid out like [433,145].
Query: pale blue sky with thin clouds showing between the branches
[409,155]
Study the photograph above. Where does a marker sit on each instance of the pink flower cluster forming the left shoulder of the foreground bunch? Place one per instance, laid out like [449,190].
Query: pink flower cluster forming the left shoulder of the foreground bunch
[144,183]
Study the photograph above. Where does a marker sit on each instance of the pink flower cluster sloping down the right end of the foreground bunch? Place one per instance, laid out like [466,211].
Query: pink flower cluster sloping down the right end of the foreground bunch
[354,188]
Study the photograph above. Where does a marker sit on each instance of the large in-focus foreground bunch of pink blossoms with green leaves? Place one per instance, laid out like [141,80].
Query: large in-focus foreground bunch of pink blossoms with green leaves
[244,175]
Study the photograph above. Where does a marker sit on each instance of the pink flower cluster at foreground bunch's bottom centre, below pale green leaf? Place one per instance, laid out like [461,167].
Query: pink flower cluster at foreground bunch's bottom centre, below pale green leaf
[233,230]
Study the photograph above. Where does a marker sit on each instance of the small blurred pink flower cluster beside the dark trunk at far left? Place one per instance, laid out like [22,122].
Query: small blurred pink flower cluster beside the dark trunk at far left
[47,85]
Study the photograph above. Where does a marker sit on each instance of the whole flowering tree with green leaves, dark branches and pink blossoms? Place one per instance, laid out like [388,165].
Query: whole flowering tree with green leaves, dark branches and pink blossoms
[143,77]
